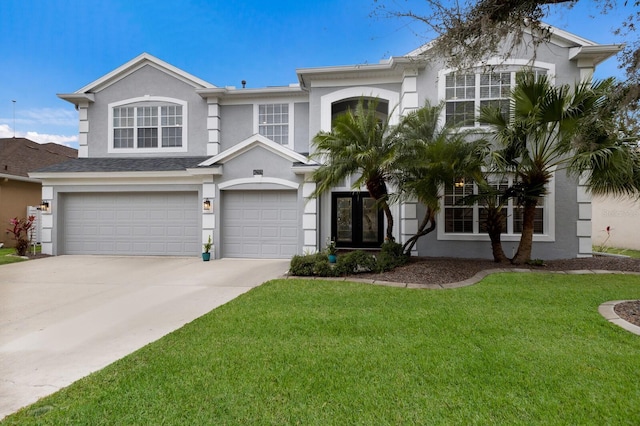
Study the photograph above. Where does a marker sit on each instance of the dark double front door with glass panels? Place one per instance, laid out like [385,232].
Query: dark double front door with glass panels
[355,220]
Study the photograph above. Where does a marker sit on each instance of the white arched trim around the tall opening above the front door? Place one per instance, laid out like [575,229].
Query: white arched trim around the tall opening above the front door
[393,98]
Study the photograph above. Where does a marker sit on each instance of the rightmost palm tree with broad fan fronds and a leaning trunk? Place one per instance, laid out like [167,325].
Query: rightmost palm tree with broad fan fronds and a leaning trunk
[548,129]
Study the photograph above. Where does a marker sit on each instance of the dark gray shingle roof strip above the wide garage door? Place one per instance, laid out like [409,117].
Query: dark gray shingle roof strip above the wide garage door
[156,164]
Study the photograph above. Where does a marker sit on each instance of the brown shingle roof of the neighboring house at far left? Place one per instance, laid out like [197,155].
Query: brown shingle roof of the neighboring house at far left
[19,156]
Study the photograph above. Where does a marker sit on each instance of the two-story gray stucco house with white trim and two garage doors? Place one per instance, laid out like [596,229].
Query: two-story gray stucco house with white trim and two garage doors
[168,159]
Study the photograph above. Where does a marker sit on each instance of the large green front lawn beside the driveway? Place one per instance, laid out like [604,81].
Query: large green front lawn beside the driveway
[514,349]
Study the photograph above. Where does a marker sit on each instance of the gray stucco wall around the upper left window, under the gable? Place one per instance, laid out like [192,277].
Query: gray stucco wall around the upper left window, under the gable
[153,82]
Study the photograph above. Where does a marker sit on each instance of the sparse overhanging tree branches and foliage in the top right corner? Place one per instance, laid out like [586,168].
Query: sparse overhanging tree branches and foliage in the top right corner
[467,32]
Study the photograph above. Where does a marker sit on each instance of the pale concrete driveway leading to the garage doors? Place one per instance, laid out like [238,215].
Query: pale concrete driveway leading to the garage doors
[62,318]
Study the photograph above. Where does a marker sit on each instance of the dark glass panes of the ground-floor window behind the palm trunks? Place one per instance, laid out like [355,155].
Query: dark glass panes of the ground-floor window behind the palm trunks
[471,219]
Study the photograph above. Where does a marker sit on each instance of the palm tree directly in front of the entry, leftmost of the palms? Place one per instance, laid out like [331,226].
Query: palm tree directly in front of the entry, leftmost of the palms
[361,144]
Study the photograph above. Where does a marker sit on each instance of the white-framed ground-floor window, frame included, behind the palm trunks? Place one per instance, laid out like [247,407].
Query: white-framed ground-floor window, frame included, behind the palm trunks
[467,222]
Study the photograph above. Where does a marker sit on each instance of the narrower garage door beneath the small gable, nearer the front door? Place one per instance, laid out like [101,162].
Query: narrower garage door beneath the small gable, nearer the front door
[259,224]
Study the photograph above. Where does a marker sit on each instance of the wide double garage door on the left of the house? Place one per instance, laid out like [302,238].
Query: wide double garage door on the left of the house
[150,223]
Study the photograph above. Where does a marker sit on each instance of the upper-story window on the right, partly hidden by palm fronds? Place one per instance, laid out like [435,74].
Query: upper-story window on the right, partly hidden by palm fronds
[465,94]
